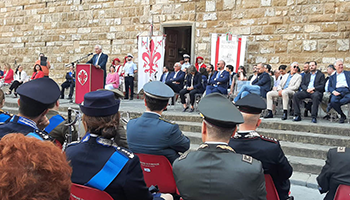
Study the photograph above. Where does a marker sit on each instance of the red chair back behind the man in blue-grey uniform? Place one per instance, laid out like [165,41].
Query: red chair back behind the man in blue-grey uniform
[157,170]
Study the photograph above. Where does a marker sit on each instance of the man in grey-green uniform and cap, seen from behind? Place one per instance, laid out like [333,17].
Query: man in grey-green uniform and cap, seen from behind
[215,170]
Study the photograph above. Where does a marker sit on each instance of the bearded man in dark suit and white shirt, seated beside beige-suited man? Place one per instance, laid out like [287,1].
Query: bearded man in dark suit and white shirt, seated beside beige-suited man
[312,86]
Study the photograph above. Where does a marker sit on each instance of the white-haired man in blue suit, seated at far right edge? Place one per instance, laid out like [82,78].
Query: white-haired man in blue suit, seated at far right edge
[339,84]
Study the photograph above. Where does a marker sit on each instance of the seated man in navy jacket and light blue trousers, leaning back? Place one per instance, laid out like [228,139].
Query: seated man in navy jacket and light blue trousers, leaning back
[260,85]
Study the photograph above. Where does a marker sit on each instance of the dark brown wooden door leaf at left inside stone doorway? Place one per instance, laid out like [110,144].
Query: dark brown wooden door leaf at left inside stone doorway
[171,54]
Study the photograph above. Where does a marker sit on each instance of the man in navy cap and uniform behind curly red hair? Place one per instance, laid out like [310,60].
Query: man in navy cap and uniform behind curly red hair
[36,98]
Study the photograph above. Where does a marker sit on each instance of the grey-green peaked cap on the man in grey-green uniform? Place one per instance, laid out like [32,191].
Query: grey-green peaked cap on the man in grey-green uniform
[219,111]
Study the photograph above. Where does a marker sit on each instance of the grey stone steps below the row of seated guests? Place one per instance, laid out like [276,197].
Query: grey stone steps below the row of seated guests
[305,144]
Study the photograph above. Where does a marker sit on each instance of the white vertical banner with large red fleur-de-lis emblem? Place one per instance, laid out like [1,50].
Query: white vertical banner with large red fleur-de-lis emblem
[150,59]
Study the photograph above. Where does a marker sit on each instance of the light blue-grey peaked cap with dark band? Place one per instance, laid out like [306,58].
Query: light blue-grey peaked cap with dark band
[158,90]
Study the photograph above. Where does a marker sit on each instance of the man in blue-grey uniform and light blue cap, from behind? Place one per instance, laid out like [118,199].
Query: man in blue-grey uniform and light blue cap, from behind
[150,133]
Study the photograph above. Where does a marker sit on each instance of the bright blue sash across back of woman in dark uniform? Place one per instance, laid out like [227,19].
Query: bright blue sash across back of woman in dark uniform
[109,171]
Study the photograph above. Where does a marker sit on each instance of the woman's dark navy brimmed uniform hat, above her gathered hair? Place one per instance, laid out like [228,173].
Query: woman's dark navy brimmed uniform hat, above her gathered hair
[100,104]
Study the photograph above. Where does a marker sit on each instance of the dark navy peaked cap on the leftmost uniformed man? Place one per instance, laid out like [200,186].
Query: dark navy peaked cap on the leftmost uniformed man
[43,91]
